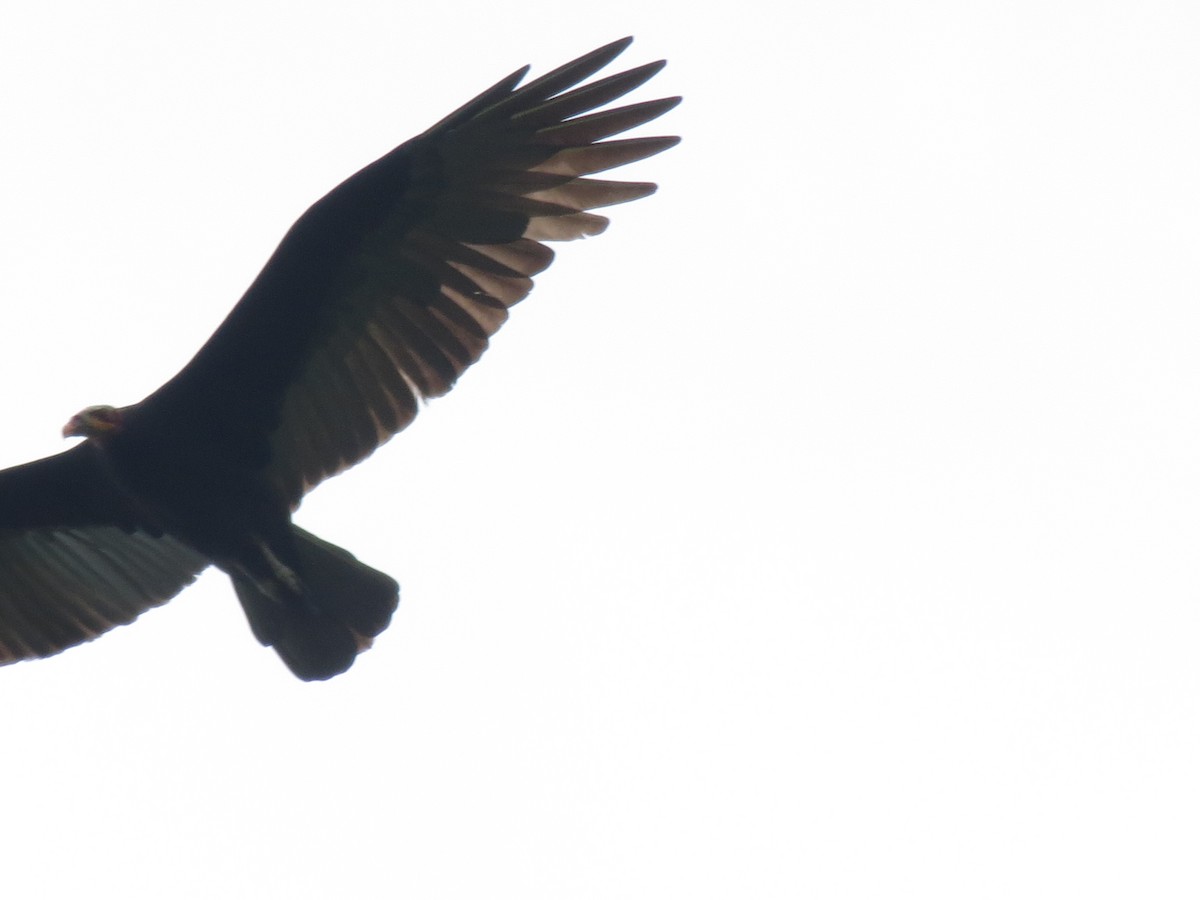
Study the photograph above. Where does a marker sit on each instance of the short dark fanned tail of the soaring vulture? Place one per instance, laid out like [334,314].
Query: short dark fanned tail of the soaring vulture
[321,617]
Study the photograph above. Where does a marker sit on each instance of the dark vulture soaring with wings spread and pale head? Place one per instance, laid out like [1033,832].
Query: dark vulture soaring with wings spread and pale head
[379,298]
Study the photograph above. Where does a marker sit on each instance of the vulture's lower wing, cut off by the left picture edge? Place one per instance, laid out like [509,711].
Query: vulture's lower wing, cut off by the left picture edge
[74,563]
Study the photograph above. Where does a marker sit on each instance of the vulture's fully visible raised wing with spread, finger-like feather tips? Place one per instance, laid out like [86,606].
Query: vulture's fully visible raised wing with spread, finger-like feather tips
[388,289]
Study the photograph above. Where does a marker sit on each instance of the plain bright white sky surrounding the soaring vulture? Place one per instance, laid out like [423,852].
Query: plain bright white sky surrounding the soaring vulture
[829,529]
